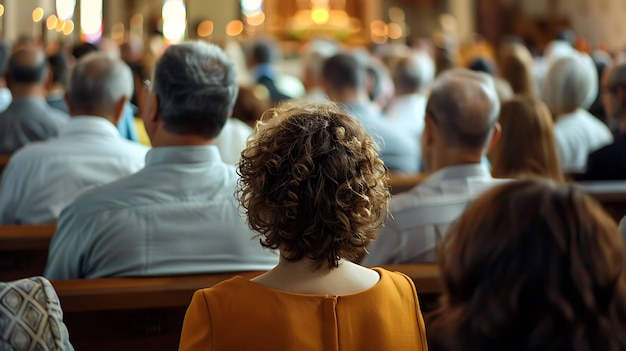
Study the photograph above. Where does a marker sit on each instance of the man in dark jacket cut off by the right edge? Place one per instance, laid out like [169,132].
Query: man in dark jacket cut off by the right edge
[609,162]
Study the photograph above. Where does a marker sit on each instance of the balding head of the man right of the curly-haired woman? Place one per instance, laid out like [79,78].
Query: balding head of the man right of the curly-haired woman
[464,107]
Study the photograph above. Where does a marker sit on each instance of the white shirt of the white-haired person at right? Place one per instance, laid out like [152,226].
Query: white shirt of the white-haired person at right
[578,134]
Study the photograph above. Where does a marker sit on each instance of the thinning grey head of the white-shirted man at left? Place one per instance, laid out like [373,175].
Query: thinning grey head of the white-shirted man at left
[98,83]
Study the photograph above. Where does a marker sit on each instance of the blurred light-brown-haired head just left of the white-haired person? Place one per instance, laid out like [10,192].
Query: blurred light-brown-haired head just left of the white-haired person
[516,65]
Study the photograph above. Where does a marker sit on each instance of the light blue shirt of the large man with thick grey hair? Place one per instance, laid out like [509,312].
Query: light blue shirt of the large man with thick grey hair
[178,215]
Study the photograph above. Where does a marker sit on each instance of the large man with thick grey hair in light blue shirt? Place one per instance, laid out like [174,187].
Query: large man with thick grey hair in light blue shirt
[178,215]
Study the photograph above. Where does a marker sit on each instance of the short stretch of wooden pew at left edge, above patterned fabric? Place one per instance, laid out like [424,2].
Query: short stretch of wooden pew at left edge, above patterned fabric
[24,250]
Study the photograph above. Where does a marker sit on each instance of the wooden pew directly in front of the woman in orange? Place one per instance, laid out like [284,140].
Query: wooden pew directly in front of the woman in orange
[147,313]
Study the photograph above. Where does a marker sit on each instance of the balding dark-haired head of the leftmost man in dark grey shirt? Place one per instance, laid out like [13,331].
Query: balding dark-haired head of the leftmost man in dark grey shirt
[27,65]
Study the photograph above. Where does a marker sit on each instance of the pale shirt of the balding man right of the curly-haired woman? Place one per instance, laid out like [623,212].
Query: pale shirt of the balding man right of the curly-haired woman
[420,217]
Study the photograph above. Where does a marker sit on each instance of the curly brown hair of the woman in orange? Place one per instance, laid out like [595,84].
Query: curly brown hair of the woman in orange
[312,184]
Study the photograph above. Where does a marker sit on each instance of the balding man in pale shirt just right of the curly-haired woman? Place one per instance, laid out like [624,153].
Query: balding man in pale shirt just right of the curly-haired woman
[460,126]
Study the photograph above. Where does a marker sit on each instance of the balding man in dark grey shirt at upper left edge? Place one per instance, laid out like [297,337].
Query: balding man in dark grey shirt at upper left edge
[28,118]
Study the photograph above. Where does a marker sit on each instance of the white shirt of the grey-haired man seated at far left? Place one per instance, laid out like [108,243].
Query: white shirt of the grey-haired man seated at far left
[44,177]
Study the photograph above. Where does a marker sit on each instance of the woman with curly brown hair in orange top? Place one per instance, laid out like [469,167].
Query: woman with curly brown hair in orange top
[314,188]
